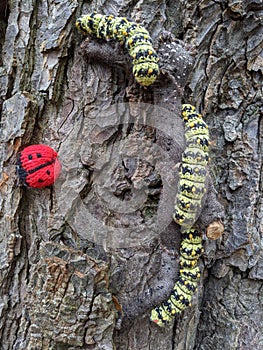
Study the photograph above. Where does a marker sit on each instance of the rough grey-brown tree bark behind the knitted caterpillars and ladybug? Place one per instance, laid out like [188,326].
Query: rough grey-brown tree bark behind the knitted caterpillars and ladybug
[66,250]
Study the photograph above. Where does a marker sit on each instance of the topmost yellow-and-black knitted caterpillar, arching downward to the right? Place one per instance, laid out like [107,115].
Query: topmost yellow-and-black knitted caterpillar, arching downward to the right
[135,38]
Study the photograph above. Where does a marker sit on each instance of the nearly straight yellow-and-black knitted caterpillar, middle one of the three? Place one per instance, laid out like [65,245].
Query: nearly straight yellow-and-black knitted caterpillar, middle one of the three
[192,175]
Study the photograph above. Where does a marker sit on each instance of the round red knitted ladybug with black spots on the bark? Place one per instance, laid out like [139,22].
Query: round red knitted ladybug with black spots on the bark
[38,166]
